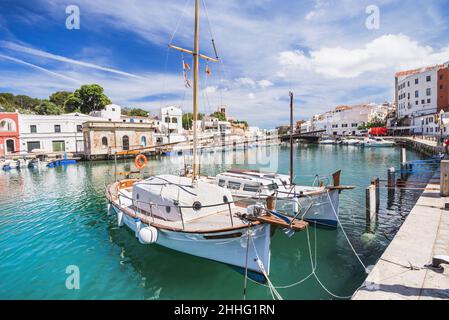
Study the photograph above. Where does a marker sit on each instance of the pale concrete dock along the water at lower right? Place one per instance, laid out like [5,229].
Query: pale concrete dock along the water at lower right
[404,271]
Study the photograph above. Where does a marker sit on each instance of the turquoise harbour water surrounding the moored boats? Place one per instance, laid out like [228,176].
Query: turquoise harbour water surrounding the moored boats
[54,218]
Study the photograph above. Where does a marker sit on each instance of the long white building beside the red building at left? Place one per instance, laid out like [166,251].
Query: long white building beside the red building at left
[52,133]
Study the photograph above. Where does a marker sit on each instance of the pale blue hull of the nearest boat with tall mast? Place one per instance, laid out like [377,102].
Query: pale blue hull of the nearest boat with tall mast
[229,247]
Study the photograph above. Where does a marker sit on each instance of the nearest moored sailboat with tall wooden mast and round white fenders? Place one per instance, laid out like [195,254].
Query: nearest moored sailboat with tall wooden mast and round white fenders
[190,215]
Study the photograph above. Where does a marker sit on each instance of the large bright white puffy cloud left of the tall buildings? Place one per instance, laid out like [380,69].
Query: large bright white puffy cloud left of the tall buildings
[388,52]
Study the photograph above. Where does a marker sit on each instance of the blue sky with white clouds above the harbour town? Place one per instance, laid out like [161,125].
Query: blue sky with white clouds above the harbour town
[320,49]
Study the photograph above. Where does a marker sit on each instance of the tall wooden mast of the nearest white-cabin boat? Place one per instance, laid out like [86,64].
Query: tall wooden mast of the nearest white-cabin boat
[195,90]
